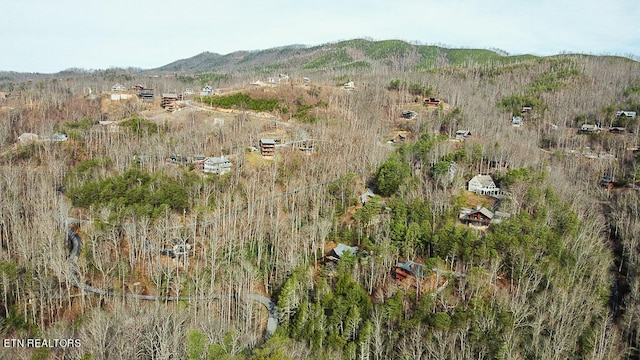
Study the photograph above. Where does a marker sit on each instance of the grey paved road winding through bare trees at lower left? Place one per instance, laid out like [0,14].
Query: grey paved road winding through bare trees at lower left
[75,246]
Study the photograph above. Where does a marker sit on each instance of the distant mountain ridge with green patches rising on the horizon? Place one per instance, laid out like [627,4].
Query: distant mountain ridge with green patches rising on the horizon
[355,54]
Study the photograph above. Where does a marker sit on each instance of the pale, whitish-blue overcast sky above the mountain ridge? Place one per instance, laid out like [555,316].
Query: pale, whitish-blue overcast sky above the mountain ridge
[49,36]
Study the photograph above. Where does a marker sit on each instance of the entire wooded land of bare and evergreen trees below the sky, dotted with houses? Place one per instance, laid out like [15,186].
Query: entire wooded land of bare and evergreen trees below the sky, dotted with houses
[356,233]
